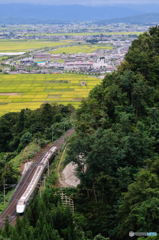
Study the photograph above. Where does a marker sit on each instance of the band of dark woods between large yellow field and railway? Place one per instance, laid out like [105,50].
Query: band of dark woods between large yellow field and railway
[18,129]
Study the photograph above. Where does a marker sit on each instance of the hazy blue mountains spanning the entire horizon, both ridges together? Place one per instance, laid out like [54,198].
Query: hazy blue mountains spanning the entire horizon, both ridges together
[32,13]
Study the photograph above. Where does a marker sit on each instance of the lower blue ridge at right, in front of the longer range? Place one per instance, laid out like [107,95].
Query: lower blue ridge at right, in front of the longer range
[149,18]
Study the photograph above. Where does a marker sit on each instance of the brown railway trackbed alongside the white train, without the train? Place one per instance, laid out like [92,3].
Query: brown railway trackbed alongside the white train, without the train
[10,211]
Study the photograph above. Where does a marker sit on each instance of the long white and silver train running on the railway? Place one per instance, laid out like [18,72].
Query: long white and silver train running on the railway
[23,201]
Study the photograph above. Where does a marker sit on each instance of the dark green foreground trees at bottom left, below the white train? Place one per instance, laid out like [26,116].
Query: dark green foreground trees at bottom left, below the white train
[48,219]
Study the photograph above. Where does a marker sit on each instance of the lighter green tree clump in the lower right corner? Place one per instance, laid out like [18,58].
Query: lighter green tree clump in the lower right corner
[138,210]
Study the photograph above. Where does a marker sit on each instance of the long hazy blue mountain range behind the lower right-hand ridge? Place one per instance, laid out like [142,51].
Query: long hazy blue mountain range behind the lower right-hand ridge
[31,13]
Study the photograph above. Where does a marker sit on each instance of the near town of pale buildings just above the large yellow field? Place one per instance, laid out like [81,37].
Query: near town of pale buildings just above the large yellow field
[98,62]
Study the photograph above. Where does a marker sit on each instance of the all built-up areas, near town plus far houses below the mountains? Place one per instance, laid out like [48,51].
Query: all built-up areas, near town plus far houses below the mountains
[99,62]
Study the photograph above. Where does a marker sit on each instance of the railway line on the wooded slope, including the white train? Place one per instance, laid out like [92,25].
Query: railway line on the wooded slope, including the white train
[30,181]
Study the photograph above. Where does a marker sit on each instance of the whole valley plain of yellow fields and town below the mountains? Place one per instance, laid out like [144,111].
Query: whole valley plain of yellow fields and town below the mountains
[53,54]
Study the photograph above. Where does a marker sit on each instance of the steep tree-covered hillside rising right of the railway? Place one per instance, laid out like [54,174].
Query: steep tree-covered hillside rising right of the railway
[117,146]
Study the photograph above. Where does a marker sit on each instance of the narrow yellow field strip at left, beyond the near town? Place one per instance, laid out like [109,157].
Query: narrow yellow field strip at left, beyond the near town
[26,45]
